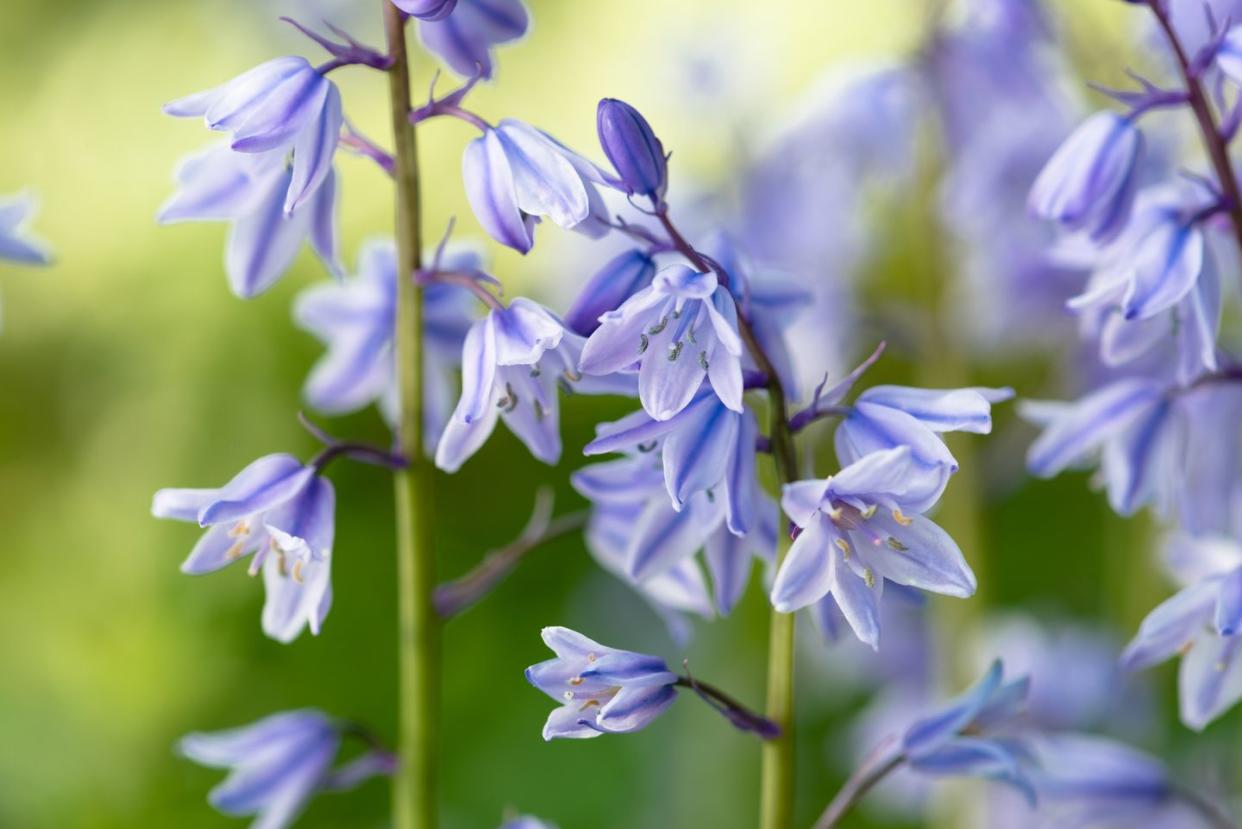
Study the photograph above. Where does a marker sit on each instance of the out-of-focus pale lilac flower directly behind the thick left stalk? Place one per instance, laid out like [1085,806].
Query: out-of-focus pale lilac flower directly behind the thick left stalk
[357,321]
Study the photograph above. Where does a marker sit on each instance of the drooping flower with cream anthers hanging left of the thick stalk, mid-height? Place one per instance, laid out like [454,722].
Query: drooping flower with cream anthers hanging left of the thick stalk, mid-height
[283,514]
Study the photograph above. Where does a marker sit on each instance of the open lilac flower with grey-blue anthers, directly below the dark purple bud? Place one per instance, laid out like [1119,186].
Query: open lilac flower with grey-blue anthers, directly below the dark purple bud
[678,332]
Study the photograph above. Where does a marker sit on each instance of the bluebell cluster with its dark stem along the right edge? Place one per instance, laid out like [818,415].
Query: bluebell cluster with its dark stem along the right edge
[1161,247]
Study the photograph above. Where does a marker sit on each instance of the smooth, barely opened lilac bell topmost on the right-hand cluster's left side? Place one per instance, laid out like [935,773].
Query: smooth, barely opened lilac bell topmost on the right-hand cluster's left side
[1090,183]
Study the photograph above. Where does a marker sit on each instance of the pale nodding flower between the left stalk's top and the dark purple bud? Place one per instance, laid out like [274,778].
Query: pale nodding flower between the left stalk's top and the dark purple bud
[515,175]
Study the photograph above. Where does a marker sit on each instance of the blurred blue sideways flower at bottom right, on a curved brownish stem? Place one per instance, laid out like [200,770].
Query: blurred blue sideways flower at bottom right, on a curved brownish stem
[972,736]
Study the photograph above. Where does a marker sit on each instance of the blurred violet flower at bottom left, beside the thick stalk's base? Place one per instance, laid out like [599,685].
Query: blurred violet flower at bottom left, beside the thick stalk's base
[279,764]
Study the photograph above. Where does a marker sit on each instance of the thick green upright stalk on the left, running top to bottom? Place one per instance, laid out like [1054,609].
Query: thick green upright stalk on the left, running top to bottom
[414,786]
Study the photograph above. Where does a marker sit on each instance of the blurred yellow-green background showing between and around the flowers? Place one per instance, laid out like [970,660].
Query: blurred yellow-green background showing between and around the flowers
[129,366]
